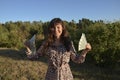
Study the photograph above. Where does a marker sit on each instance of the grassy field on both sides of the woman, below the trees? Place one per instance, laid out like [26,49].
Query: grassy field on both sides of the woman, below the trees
[14,65]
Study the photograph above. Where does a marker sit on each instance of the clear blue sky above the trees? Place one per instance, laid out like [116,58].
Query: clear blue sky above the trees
[45,10]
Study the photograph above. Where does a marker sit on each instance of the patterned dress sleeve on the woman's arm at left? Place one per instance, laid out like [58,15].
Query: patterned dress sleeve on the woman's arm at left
[39,52]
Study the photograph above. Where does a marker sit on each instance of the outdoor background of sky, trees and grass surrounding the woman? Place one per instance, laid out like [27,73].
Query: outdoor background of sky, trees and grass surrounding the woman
[99,20]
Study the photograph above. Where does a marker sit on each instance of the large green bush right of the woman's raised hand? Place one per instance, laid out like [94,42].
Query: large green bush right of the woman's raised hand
[105,43]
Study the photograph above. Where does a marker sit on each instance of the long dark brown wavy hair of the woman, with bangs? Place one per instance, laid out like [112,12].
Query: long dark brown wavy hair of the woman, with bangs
[64,38]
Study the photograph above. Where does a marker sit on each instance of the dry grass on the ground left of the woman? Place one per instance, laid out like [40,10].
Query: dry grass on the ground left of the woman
[15,66]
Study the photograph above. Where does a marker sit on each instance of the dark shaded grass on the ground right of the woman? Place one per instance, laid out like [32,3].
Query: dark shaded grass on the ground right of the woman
[88,71]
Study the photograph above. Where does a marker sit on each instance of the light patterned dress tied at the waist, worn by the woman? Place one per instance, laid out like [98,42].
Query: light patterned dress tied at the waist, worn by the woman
[58,62]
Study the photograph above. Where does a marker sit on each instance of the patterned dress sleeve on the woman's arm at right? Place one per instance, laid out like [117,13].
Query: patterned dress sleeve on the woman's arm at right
[76,57]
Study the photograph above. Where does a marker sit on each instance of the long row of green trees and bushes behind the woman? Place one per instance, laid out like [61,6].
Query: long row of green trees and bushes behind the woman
[103,37]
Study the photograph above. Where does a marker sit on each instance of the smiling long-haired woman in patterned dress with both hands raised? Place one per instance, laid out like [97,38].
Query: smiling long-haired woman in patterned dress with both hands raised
[58,48]
